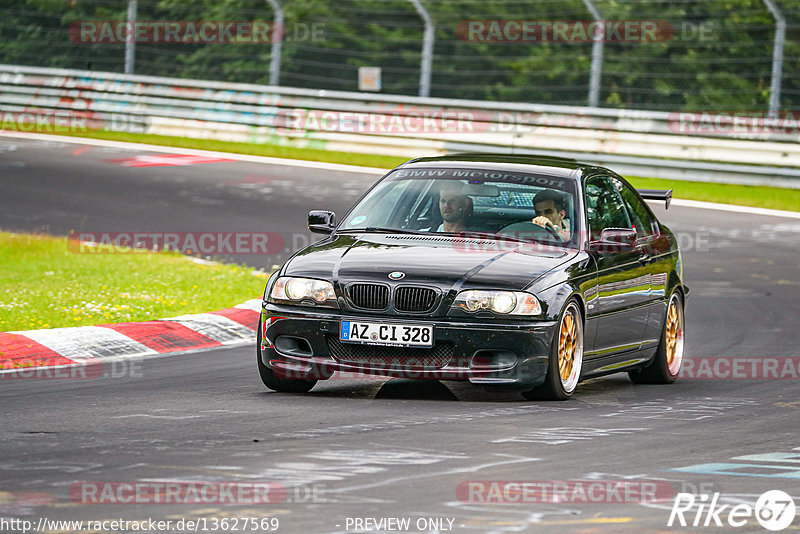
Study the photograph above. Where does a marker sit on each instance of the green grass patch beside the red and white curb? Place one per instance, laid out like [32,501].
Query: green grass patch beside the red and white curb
[44,285]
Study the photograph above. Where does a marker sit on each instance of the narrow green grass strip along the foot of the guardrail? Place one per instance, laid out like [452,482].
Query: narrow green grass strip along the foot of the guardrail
[744,195]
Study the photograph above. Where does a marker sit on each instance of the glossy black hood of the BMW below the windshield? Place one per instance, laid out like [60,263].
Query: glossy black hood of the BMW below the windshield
[442,261]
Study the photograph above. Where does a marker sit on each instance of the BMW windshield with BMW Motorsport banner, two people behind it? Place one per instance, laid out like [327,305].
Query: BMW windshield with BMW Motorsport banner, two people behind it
[495,203]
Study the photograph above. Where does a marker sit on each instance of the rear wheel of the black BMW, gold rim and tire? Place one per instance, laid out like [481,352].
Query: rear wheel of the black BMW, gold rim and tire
[666,366]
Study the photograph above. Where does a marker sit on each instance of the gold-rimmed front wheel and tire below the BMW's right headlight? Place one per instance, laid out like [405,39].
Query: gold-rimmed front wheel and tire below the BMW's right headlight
[566,358]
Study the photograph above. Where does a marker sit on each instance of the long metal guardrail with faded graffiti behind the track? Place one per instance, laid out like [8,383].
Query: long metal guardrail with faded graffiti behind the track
[641,143]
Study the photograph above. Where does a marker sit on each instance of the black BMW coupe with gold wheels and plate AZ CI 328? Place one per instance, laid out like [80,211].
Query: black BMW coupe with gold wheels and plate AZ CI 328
[511,271]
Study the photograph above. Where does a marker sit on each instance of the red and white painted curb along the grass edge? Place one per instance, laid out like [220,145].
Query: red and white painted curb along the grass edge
[82,345]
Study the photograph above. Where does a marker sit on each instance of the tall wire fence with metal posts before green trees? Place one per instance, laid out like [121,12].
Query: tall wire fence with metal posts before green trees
[710,55]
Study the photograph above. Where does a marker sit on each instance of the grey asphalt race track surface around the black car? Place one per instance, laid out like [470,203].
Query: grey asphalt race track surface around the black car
[378,449]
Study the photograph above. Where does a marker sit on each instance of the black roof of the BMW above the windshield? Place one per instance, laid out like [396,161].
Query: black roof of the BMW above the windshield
[531,163]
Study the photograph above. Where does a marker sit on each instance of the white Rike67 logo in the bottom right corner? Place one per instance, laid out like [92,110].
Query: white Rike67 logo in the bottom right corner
[774,510]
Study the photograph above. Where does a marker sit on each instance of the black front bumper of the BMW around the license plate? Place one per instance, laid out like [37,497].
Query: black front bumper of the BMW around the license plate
[304,344]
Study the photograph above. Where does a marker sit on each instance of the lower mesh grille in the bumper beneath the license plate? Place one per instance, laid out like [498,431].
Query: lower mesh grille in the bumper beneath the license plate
[400,358]
